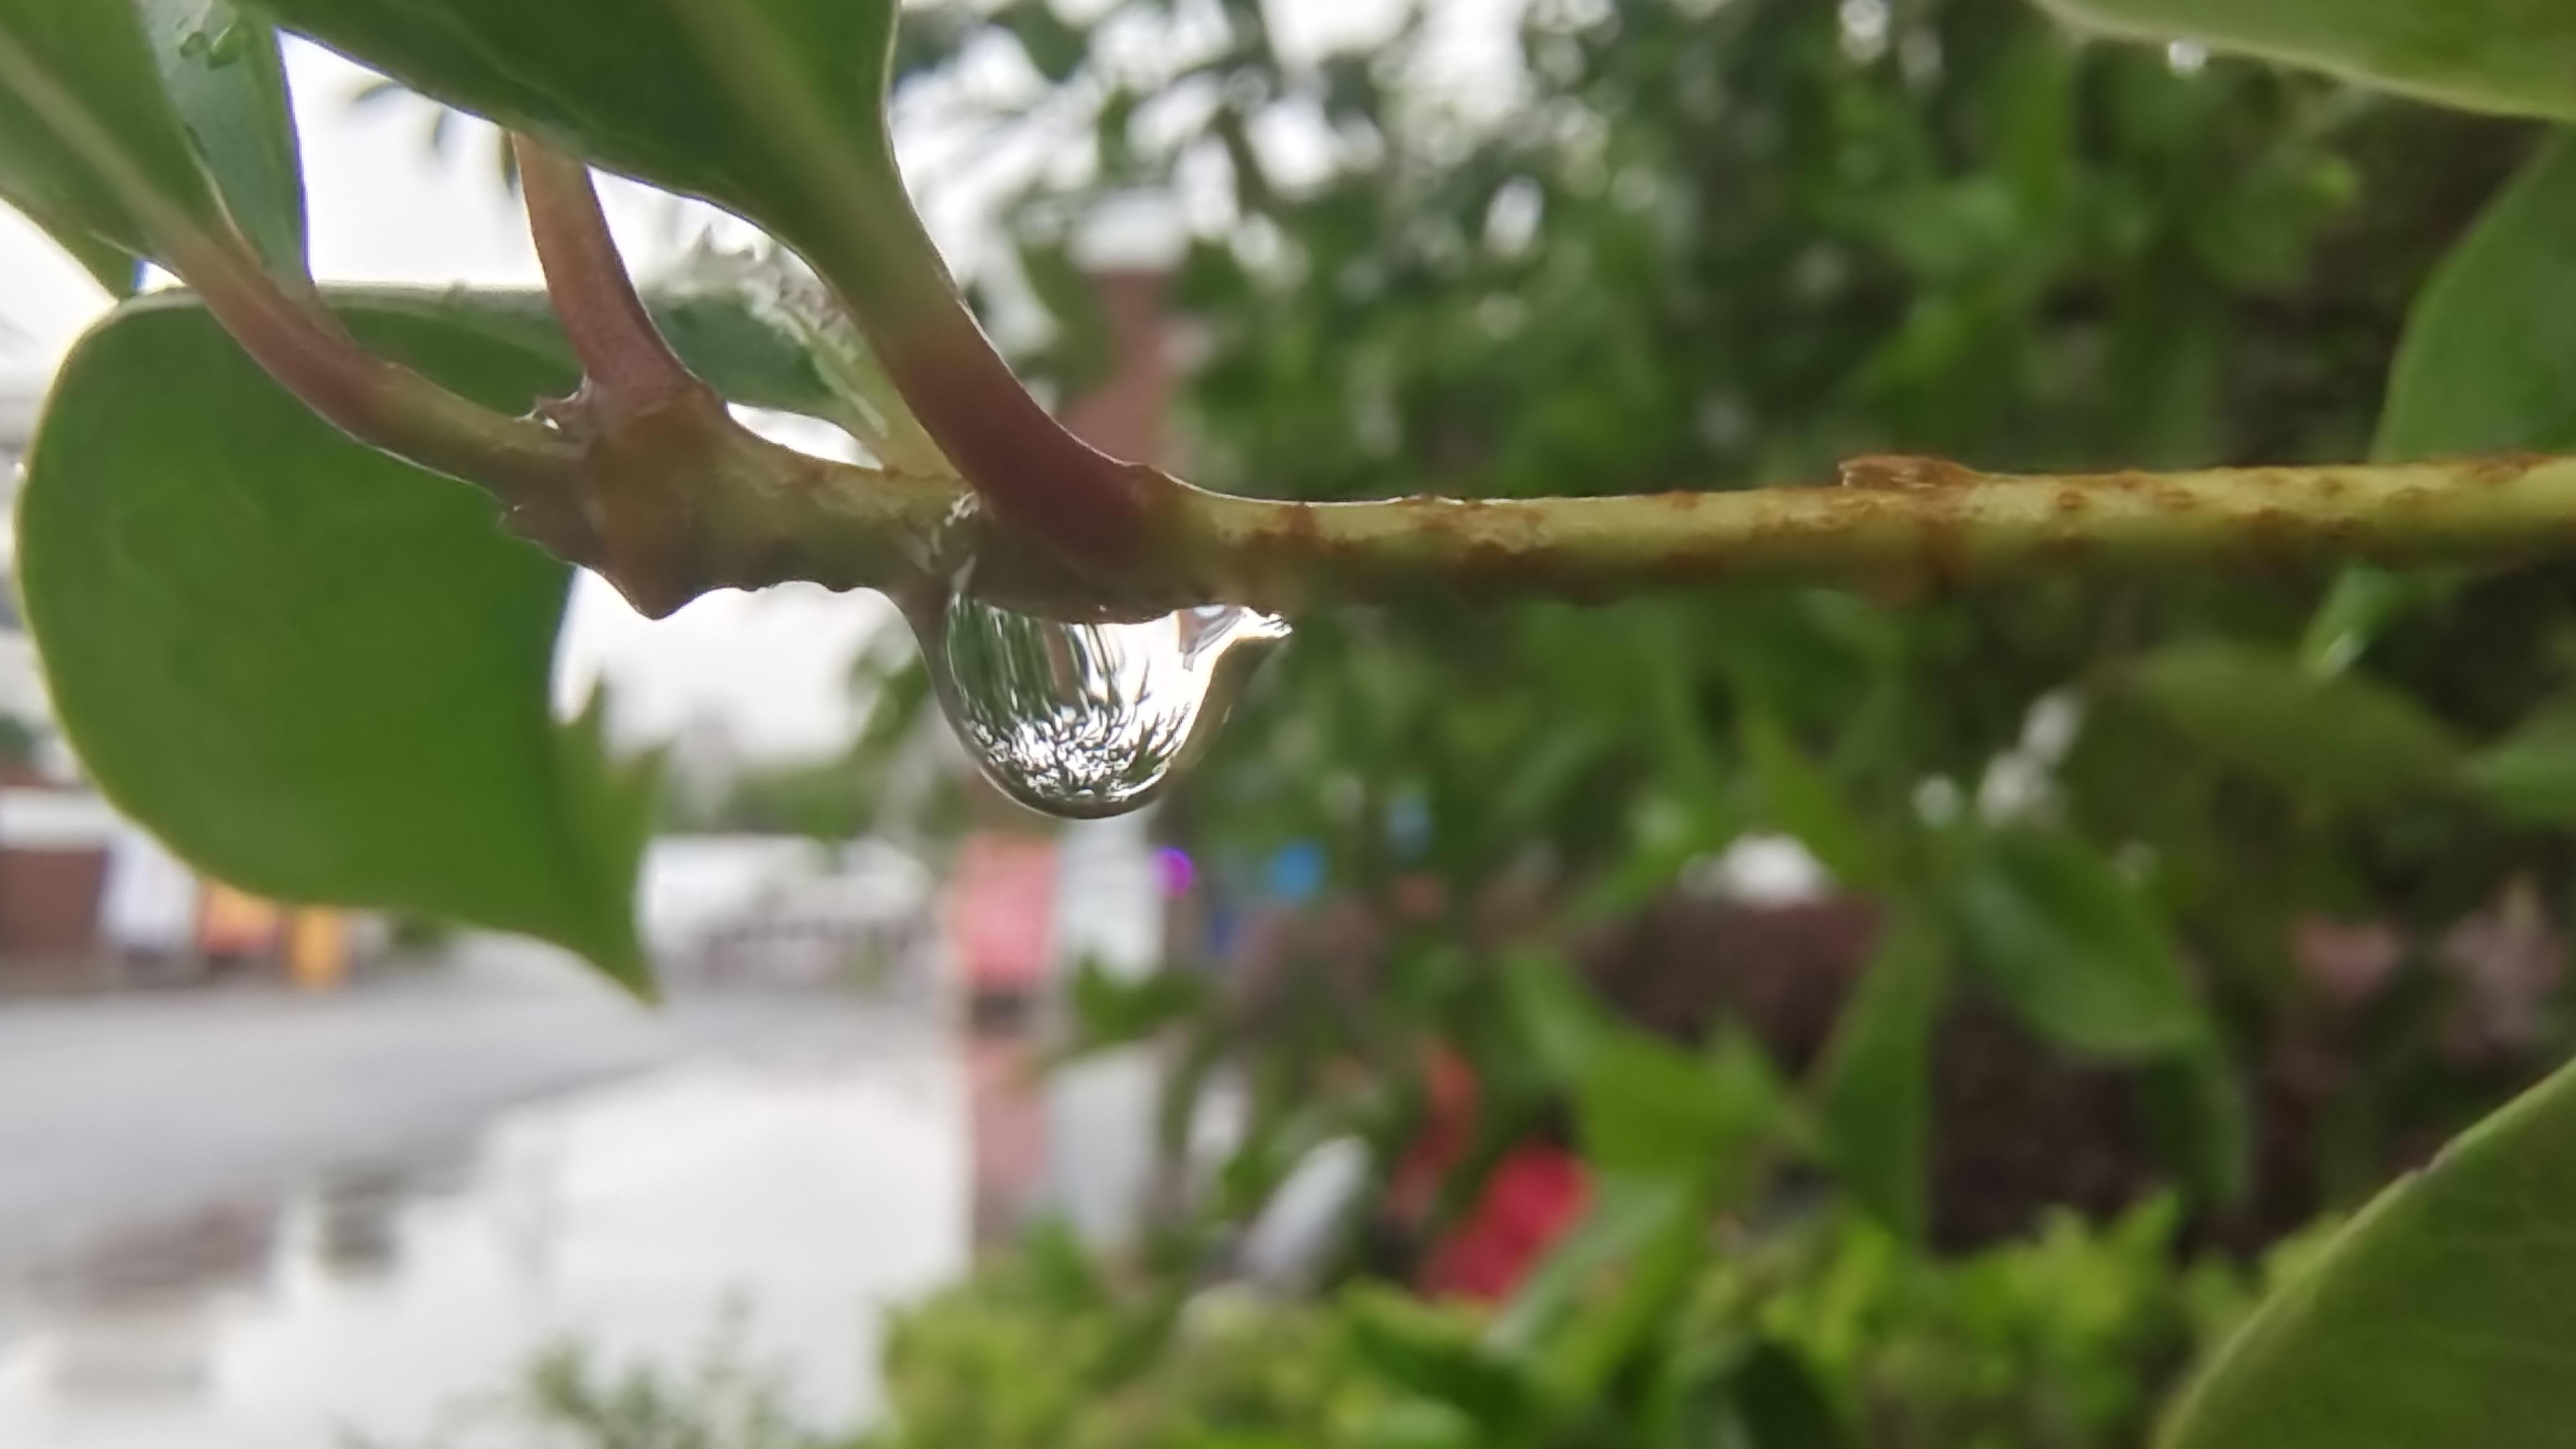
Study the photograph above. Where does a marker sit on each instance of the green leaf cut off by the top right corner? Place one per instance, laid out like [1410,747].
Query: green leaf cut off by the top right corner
[2479,55]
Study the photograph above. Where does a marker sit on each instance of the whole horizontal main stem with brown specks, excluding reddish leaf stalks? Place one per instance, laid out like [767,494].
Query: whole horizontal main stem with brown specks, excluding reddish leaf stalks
[1895,525]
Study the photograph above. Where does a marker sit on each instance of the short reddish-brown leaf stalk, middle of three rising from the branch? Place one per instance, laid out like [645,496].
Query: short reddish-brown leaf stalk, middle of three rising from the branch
[625,357]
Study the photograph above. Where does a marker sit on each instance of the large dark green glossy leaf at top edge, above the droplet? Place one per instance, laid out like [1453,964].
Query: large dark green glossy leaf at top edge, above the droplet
[764,107]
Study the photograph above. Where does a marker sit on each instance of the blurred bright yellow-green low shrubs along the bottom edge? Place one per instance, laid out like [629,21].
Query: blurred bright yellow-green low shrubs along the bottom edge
[1835,1334]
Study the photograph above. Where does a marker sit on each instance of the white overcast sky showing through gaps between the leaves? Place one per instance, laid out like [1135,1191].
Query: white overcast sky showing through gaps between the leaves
[766,669]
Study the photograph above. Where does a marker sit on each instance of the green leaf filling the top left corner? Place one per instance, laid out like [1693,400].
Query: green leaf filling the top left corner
[81,92]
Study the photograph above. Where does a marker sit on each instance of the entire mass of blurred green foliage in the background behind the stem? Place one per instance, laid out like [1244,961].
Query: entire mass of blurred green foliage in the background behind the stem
[2219,899]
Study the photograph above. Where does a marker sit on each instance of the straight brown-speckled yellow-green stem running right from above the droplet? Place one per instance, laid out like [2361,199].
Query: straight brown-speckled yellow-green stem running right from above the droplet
[1895,525]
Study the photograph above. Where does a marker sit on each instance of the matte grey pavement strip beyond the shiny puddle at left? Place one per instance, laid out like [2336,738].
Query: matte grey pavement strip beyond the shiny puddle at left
[135,1107]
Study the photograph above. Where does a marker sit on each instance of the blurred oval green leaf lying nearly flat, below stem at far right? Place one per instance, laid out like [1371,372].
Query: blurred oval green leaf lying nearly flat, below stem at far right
[2338,739]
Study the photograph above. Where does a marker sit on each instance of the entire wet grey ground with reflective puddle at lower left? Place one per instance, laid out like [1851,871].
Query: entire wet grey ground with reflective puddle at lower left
[267,1223]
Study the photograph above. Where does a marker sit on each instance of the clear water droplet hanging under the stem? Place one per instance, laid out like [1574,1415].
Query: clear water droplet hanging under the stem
[1088,721]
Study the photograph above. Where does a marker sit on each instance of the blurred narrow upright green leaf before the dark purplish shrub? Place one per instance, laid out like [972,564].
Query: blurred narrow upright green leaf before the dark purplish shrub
[1877,1079]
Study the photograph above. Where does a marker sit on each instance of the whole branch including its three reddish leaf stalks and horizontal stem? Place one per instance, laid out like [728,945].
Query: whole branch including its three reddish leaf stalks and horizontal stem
[671,501]
